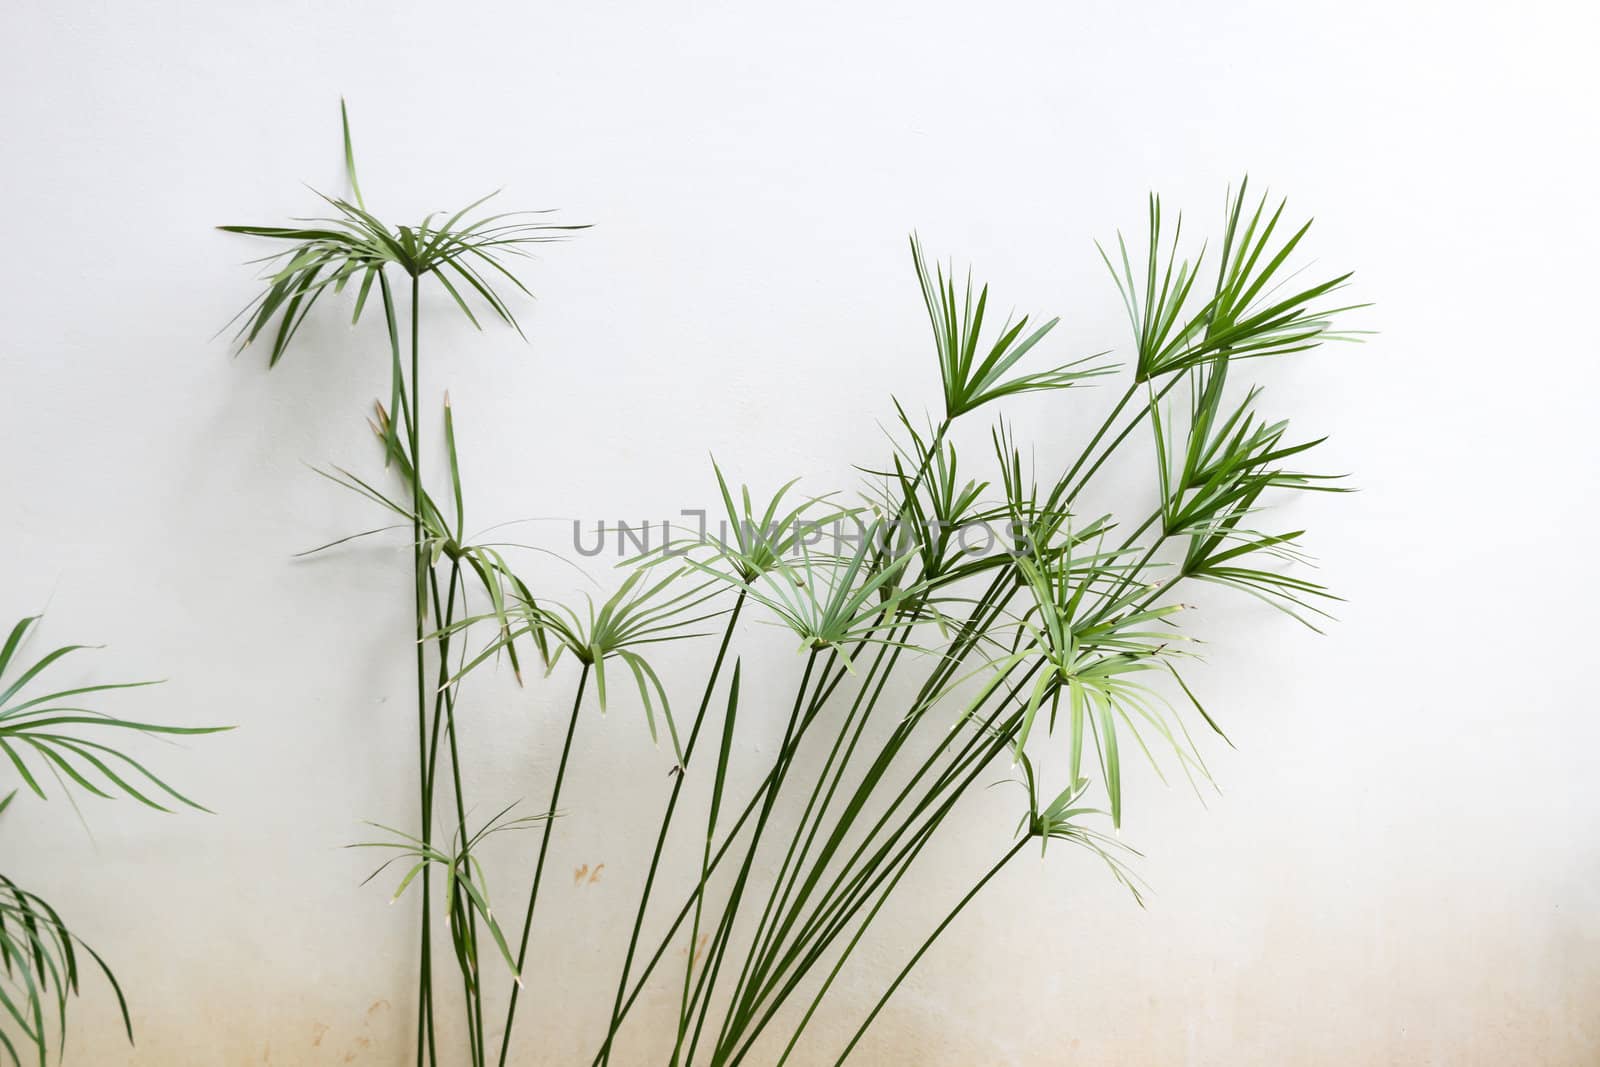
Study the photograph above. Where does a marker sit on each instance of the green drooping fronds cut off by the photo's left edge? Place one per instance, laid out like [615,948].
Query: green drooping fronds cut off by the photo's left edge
[54,738]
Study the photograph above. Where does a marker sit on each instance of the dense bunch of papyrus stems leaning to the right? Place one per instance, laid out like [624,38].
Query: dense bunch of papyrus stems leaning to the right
[1058,653]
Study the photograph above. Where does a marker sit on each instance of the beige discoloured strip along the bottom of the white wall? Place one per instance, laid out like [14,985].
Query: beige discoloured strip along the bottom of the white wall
[1458,1001]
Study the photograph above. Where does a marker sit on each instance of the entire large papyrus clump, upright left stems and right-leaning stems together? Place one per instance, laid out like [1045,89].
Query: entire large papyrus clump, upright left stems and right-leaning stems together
[1054,657]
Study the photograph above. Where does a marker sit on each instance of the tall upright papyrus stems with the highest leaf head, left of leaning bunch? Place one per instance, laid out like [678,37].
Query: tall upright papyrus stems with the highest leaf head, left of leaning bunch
[473,255]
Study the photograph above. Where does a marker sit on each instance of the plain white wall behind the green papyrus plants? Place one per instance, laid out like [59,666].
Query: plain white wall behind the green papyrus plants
[1404,865]
